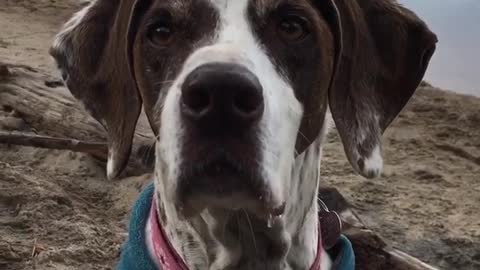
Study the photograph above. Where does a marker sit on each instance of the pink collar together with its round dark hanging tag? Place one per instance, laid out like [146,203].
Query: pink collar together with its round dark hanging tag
[168,258]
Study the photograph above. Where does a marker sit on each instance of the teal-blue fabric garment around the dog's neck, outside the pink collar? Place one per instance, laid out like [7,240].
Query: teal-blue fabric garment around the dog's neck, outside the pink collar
[135,255]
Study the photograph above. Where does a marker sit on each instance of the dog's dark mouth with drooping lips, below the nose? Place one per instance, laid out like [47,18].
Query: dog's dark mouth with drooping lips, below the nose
[224,183]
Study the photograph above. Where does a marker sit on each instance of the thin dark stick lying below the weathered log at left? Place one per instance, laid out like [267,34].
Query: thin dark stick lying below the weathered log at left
[96,149]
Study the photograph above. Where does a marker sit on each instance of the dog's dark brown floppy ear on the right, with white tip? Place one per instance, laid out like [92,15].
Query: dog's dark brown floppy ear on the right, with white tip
[386,50]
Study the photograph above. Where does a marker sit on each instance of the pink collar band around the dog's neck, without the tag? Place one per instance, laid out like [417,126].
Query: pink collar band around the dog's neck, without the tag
[168,258]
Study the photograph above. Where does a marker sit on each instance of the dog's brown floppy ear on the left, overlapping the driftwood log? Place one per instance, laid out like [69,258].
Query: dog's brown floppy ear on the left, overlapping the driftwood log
[93,53]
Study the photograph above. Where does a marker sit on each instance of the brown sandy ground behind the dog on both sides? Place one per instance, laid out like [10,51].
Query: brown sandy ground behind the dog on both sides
[58,211]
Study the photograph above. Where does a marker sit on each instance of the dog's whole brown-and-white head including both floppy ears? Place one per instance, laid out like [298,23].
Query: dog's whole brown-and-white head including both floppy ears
[236,89]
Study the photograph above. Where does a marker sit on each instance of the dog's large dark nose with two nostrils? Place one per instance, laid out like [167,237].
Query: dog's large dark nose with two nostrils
[222,91]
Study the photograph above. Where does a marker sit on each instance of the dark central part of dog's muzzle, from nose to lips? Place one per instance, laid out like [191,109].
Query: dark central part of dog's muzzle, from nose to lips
[221,108]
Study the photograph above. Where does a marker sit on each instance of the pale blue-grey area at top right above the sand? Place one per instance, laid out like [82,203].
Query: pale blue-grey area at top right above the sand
[456,63]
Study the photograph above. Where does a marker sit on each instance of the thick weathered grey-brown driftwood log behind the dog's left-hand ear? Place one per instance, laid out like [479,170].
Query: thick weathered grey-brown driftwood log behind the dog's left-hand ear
[47,106]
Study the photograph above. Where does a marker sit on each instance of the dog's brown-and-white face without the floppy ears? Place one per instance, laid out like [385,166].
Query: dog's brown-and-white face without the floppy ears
[224,84]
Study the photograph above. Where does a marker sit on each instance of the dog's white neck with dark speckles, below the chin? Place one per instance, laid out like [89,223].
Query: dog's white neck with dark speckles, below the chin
[220,239]
